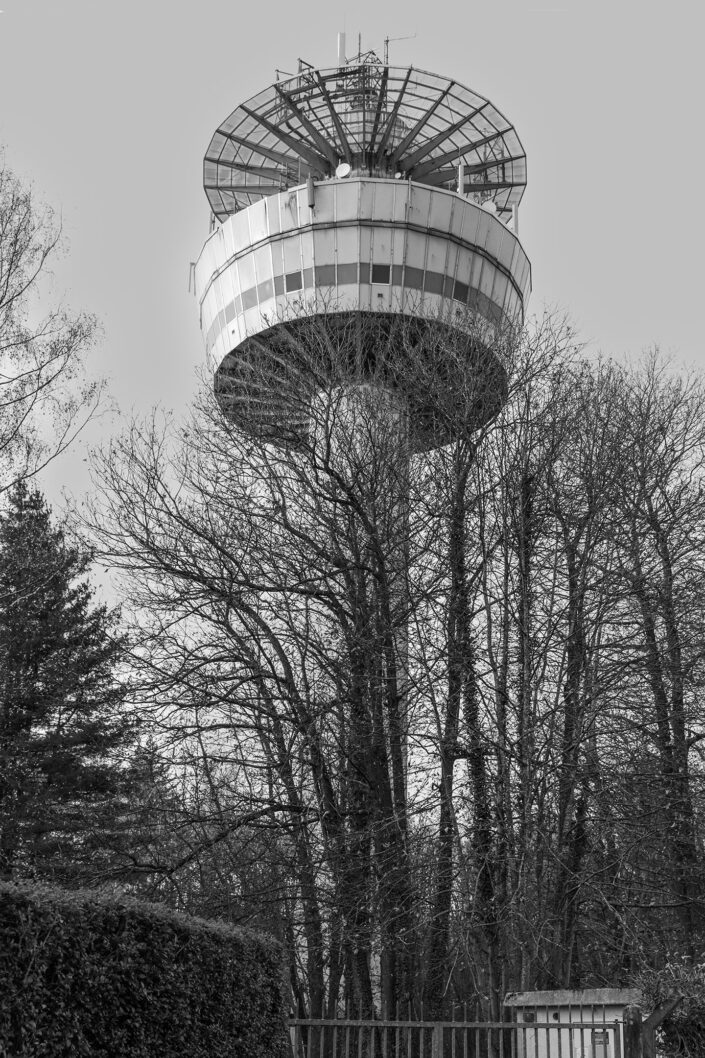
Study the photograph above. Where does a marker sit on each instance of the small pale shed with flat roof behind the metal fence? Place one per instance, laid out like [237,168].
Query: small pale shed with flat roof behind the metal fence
[571,1024]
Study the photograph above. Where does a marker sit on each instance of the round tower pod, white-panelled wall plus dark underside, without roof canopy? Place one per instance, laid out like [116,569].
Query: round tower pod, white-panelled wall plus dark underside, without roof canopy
[410,283]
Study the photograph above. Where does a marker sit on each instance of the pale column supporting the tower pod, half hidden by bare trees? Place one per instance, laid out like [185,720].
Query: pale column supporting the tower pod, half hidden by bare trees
[361,433]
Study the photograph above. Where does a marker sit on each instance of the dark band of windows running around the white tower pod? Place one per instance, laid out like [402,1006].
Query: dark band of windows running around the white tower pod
[338,276]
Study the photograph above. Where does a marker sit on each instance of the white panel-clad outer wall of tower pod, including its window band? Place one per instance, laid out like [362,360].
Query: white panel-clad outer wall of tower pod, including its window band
[281,258]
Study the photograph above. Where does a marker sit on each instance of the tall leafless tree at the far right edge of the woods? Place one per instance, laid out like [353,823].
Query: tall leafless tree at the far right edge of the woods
[659,505]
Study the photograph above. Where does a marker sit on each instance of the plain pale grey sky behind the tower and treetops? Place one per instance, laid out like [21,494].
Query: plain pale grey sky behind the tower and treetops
[110,107]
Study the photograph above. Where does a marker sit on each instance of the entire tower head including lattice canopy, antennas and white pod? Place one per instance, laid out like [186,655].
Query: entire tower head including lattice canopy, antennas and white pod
[360,192]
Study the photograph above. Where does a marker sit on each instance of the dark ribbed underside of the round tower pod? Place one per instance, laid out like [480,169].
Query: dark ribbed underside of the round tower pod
[447,380]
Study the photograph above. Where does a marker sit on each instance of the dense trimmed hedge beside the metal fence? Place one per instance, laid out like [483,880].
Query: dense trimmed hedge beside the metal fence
[85,974]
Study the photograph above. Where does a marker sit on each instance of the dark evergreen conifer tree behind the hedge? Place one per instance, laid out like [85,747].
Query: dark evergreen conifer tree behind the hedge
[65,779]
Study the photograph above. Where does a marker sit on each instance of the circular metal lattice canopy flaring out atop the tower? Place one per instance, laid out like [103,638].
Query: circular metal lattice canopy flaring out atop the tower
[382,121]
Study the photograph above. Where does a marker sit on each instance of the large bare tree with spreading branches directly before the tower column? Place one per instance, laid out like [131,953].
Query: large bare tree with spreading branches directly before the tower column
[280,577]
